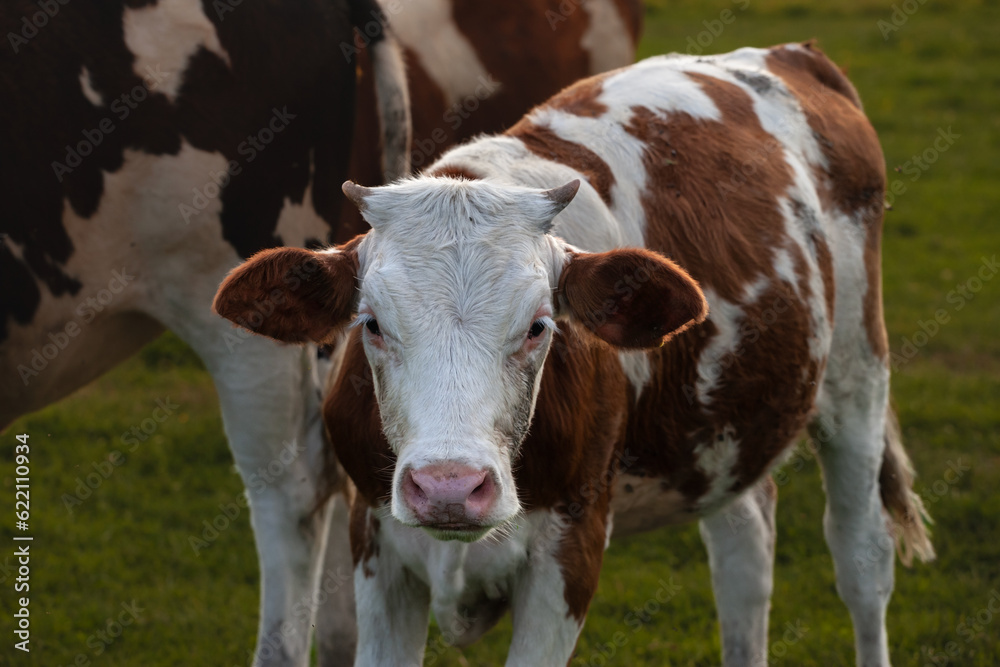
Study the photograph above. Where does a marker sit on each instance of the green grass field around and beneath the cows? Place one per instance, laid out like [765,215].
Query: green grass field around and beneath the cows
[128,541]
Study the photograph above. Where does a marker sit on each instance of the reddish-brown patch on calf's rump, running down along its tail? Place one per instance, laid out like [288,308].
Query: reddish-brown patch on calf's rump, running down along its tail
[854,182]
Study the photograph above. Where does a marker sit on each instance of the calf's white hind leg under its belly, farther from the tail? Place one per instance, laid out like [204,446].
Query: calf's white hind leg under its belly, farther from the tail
[740,542]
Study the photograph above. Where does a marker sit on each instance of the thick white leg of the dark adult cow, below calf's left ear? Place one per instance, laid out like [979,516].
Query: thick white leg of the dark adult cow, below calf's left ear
[271,411]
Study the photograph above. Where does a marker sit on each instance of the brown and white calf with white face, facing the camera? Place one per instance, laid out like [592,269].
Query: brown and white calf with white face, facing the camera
[527,338]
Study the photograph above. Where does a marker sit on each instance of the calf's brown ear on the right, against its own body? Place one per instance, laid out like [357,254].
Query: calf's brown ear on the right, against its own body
[631,298]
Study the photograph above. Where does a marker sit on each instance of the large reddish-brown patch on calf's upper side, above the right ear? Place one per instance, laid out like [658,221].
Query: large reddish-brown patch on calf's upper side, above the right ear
[713,207]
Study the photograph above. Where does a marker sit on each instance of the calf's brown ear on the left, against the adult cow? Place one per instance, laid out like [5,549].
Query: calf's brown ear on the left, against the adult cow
[290,294]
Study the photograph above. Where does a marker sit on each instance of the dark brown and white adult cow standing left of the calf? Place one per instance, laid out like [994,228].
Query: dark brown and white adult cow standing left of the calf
[146,148]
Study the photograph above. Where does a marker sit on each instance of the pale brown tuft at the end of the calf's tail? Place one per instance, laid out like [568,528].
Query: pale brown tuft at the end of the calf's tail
[909,517]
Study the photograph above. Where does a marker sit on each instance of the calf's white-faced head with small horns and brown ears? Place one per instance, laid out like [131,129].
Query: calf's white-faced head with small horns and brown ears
[458,289]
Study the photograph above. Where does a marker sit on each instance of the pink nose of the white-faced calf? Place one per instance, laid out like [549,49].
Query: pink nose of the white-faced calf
[449,495]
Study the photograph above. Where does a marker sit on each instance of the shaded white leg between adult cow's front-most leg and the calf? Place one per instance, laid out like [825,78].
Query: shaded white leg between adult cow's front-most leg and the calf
[336,626]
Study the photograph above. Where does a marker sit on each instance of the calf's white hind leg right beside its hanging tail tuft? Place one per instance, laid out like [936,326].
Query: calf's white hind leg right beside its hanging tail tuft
[851,434]
